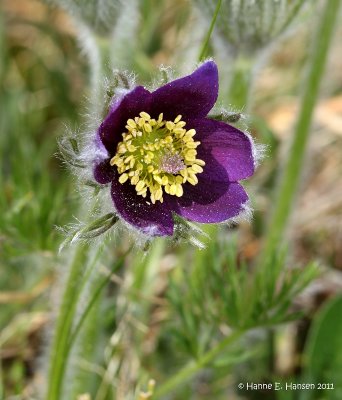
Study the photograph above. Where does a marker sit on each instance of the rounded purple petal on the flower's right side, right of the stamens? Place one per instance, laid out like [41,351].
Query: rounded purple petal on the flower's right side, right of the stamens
[229,146]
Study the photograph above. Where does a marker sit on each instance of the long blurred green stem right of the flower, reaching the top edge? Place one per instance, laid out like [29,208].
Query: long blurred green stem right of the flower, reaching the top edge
[290,179]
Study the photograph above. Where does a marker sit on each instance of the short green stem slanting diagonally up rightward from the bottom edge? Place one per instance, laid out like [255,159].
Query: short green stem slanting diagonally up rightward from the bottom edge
[194,367]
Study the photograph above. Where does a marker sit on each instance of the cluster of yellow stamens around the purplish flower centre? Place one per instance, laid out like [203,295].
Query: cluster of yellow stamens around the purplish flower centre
[157,156]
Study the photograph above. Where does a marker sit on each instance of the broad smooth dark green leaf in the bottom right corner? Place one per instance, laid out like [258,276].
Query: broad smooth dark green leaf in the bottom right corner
[323,353]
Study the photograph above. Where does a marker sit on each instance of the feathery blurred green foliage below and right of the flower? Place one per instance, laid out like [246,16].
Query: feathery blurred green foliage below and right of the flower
[219,290]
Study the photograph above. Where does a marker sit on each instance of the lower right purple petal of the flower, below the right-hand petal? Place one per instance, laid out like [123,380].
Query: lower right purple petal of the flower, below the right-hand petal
[211,205]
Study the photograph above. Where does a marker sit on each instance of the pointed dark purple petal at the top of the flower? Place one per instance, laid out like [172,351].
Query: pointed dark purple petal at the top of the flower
[192,96]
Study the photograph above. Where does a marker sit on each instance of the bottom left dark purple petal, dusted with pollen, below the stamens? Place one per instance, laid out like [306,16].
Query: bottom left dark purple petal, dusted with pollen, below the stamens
[151,219]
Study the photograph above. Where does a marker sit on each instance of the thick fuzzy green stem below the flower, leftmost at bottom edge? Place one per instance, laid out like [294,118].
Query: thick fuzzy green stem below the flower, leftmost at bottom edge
[65,318]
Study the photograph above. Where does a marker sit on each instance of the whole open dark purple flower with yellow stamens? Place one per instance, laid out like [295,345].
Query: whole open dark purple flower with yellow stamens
[162,155]
